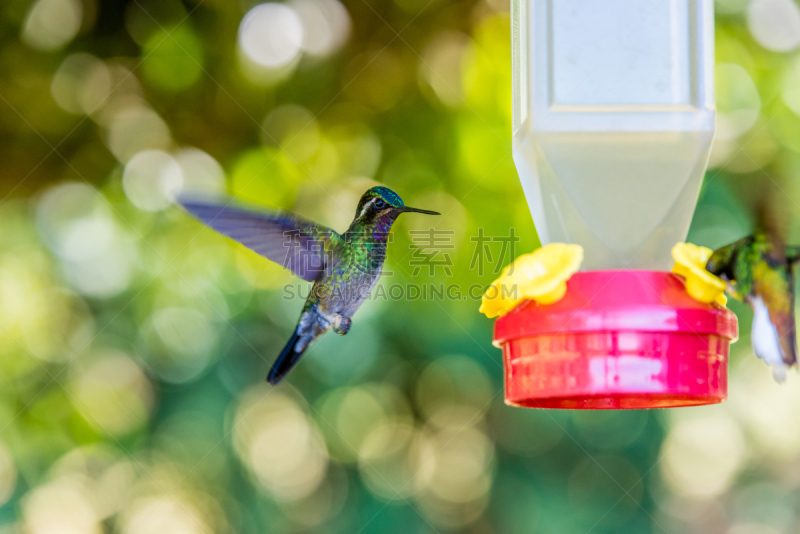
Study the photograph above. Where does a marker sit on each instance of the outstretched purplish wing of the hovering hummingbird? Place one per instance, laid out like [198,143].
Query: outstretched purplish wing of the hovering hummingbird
[295,243]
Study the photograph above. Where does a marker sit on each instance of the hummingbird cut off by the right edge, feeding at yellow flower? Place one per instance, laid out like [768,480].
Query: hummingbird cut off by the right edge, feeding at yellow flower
[760,269]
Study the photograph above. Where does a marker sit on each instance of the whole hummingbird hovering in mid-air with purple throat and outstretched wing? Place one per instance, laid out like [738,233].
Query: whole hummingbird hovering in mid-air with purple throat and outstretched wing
[343,267]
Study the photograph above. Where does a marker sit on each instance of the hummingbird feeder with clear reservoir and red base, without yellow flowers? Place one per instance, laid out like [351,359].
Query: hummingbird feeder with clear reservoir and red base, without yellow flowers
[613,116]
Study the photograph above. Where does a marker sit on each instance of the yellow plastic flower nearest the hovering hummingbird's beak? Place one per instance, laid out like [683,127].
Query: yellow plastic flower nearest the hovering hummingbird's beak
[541,276]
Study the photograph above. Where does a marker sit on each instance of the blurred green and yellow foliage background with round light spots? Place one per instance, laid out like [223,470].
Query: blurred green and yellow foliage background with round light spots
[134,342]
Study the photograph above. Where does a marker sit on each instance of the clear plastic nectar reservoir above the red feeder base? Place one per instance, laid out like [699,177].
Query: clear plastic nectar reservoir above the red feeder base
[613,121]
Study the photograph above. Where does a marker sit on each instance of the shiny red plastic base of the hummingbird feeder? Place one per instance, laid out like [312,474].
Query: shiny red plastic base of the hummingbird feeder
[617,340]
